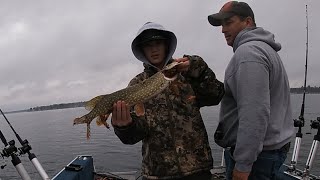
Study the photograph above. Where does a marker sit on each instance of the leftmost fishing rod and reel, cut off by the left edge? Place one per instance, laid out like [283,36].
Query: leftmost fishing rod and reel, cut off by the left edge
[11,150]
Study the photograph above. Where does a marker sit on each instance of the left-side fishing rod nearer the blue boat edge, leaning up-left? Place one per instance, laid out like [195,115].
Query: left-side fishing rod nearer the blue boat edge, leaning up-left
[26,149]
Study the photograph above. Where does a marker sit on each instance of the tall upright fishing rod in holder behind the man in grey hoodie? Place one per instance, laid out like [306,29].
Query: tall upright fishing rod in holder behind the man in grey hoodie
[300,121]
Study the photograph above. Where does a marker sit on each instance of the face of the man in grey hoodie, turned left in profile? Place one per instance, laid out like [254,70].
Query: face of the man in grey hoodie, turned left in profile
[231,28]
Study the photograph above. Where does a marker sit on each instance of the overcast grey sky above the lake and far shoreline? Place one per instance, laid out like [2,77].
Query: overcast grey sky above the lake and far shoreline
[72,50]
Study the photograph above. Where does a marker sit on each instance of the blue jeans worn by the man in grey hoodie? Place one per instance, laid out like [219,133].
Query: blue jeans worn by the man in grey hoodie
[266,167]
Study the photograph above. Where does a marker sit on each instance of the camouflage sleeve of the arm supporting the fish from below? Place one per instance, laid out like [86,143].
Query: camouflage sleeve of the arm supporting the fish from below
[136,131]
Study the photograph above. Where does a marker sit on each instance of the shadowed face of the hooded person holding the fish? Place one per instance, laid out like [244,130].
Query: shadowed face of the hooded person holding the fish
[155,51]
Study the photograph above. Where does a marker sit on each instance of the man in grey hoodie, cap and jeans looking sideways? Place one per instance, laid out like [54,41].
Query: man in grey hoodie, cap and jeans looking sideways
[256,123]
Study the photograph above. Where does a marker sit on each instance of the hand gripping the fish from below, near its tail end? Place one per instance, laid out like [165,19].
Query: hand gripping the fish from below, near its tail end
[121,114]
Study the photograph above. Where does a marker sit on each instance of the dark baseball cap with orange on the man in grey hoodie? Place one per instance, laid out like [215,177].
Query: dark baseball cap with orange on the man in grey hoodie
[230,9]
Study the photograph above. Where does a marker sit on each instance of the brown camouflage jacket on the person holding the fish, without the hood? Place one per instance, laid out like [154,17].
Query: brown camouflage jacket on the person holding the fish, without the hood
[174,138]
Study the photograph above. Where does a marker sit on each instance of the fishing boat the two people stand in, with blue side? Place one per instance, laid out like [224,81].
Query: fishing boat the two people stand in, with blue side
[82,168]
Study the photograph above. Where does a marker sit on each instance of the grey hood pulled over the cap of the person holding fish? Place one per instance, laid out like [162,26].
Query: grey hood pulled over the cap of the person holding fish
[170,36]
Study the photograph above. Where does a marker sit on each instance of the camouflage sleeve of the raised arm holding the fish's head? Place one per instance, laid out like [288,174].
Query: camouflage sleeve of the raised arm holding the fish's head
[209,91]
